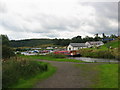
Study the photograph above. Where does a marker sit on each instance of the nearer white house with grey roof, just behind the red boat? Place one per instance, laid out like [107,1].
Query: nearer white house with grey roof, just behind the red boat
[76,46]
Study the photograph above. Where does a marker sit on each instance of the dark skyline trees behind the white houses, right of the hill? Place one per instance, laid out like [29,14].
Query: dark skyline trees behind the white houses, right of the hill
[79,39]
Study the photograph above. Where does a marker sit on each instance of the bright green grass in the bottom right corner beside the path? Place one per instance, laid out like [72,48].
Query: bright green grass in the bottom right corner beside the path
[108,77]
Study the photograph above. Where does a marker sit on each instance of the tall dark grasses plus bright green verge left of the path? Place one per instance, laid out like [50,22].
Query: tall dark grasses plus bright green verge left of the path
[24,72]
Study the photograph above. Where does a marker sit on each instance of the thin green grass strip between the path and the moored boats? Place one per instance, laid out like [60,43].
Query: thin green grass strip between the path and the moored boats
[52,58]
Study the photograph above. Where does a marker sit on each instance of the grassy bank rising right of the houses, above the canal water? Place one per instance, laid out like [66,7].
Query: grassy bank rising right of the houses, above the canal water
[108,50]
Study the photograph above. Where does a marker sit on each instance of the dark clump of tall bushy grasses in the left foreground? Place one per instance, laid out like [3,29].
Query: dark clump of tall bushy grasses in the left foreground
[14,70]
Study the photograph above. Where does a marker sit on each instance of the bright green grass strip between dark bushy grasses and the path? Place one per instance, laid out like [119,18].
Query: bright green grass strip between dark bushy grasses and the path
[30,83]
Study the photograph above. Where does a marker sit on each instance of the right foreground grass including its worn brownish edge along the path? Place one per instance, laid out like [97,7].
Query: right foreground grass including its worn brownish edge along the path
[104,75]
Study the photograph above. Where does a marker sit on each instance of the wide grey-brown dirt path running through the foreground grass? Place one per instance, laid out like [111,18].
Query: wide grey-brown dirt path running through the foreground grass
[68,75]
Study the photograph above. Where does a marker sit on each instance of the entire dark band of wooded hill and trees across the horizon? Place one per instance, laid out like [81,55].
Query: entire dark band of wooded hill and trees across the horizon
[56,41]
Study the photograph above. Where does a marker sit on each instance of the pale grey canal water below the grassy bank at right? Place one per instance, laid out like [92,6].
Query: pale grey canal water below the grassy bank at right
[87,59]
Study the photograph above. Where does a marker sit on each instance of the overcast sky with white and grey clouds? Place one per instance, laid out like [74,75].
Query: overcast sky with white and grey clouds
[26,19]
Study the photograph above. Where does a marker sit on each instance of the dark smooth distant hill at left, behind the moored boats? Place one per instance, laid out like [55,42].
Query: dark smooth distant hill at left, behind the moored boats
[30,42]
